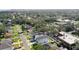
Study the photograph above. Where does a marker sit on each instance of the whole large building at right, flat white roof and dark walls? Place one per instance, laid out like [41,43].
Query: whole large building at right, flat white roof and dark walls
[68,40]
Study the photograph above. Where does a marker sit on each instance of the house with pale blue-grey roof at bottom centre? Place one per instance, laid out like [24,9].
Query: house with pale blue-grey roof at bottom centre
[40,39]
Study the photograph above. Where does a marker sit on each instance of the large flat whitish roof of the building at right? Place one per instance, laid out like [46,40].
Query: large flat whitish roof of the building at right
[68,38]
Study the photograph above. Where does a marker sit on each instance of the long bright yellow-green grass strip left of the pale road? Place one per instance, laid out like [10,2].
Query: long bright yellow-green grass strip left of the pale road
[16,39]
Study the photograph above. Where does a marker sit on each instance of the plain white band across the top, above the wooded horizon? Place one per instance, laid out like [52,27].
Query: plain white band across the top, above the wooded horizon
[39,4]
